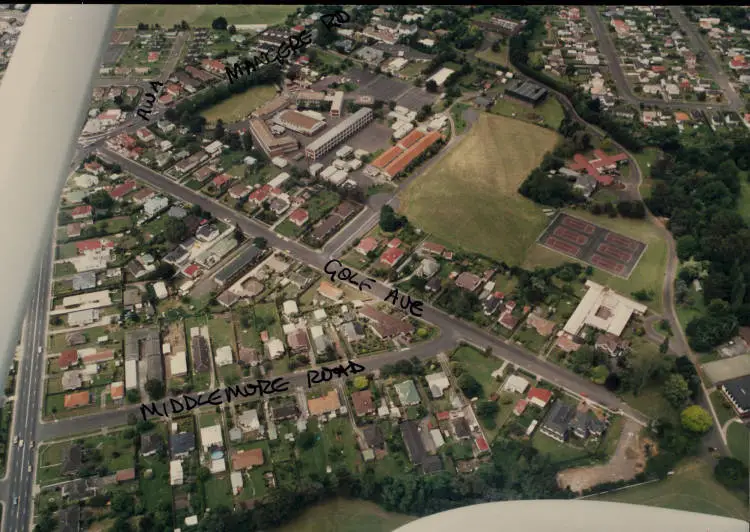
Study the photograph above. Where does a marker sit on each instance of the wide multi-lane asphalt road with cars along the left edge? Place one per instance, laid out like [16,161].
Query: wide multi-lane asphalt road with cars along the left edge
[19,480]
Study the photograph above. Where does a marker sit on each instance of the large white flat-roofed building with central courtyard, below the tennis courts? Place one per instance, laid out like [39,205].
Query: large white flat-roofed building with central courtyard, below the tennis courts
[603,309]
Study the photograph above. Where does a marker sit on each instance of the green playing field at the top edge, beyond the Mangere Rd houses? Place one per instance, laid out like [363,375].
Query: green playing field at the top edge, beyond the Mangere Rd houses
[202,15]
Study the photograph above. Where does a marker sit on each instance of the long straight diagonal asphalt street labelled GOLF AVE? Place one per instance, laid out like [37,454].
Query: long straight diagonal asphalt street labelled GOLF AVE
[450,326]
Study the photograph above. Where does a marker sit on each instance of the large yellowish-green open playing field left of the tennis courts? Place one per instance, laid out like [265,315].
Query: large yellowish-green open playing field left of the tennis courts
[471,198]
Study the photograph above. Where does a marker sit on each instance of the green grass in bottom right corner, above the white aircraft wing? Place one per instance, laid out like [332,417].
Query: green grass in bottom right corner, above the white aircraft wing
[691,488]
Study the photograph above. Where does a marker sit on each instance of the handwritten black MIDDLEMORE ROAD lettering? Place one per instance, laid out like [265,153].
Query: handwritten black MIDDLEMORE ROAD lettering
[261,387]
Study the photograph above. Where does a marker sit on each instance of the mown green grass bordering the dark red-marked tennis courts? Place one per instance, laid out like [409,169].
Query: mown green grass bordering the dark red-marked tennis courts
[648,274]
